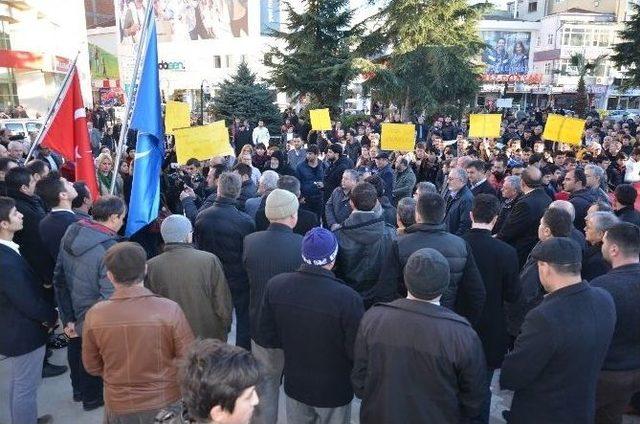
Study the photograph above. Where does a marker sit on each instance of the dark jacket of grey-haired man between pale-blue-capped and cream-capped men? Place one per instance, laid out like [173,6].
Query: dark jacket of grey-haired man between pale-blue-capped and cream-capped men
[220,230]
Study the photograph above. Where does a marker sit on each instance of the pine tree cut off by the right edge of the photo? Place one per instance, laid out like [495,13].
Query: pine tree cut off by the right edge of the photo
[627,52]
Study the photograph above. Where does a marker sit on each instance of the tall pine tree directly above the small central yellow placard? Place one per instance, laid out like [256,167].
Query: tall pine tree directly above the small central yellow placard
[316,59]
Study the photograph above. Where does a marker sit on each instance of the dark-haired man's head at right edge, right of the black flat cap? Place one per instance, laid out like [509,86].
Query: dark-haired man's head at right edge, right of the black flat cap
[621,244]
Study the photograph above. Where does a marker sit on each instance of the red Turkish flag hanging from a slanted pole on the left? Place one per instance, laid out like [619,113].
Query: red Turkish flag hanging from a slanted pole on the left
[67,134]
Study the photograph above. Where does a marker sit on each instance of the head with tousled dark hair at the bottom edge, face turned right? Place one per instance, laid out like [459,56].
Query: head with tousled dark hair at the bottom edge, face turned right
[218,382]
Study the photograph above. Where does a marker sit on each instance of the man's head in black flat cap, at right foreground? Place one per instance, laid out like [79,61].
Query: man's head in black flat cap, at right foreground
[559,262]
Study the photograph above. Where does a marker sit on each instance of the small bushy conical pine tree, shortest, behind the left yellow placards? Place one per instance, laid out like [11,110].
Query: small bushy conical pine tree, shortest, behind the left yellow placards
[242,97]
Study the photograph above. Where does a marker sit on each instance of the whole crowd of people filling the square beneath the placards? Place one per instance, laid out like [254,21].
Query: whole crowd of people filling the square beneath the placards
[405,279]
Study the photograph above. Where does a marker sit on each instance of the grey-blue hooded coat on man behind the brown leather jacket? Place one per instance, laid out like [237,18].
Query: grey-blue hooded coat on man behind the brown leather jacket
[80,277]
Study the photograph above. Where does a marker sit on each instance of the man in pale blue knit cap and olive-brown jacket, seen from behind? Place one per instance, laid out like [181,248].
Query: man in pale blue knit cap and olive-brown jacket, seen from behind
[192,278]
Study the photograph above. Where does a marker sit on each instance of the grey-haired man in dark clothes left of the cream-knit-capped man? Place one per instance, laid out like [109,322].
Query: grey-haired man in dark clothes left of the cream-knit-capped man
[220,230]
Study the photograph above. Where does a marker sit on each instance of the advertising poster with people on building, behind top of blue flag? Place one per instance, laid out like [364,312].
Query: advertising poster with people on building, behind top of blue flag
[182,20]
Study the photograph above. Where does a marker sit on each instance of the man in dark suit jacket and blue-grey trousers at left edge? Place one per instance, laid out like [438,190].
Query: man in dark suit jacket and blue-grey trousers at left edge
[28,315]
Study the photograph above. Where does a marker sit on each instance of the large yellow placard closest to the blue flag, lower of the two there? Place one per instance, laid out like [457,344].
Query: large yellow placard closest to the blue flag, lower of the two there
[202,142]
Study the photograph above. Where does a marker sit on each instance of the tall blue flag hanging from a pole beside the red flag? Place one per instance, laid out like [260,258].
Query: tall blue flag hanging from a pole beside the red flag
[147,119]
